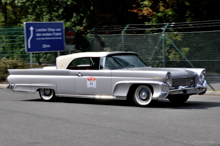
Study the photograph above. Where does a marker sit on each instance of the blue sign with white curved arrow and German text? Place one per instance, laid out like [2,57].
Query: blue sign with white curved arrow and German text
[44,36]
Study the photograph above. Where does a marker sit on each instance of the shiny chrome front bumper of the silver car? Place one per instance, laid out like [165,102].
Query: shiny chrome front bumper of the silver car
[199,89]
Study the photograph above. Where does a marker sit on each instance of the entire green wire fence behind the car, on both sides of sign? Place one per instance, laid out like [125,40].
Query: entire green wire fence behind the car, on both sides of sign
[166,49]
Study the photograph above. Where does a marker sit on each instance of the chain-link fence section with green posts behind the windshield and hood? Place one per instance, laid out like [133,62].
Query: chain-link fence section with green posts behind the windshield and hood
[170,49]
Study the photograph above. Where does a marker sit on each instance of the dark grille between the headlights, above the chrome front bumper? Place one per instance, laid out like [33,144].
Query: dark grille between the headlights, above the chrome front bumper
[189,82]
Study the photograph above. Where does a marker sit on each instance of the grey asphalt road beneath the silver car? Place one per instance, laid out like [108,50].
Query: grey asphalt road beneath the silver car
[27,121]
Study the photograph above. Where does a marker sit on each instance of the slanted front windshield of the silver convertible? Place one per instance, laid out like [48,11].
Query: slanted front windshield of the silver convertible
[123,61]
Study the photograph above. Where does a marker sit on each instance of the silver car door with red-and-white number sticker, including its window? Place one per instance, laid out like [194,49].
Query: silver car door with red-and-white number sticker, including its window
[90,78]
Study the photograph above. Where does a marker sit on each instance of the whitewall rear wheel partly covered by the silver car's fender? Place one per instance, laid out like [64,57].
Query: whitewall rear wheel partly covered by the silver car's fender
[47,94]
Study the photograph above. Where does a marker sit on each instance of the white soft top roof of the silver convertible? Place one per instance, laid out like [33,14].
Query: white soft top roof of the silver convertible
[63,61]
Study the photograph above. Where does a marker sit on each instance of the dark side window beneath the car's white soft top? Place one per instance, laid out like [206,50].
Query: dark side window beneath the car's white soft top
[86,63]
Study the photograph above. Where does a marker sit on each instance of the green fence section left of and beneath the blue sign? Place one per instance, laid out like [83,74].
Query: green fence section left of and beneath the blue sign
[12,44]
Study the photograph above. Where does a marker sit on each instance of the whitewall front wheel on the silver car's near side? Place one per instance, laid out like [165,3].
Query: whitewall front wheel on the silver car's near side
[142,95]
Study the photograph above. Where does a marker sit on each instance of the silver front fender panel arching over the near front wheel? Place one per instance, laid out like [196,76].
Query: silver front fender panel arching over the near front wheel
[122,80]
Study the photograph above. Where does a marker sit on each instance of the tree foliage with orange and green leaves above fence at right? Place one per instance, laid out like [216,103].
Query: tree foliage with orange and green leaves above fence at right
[157,11]
